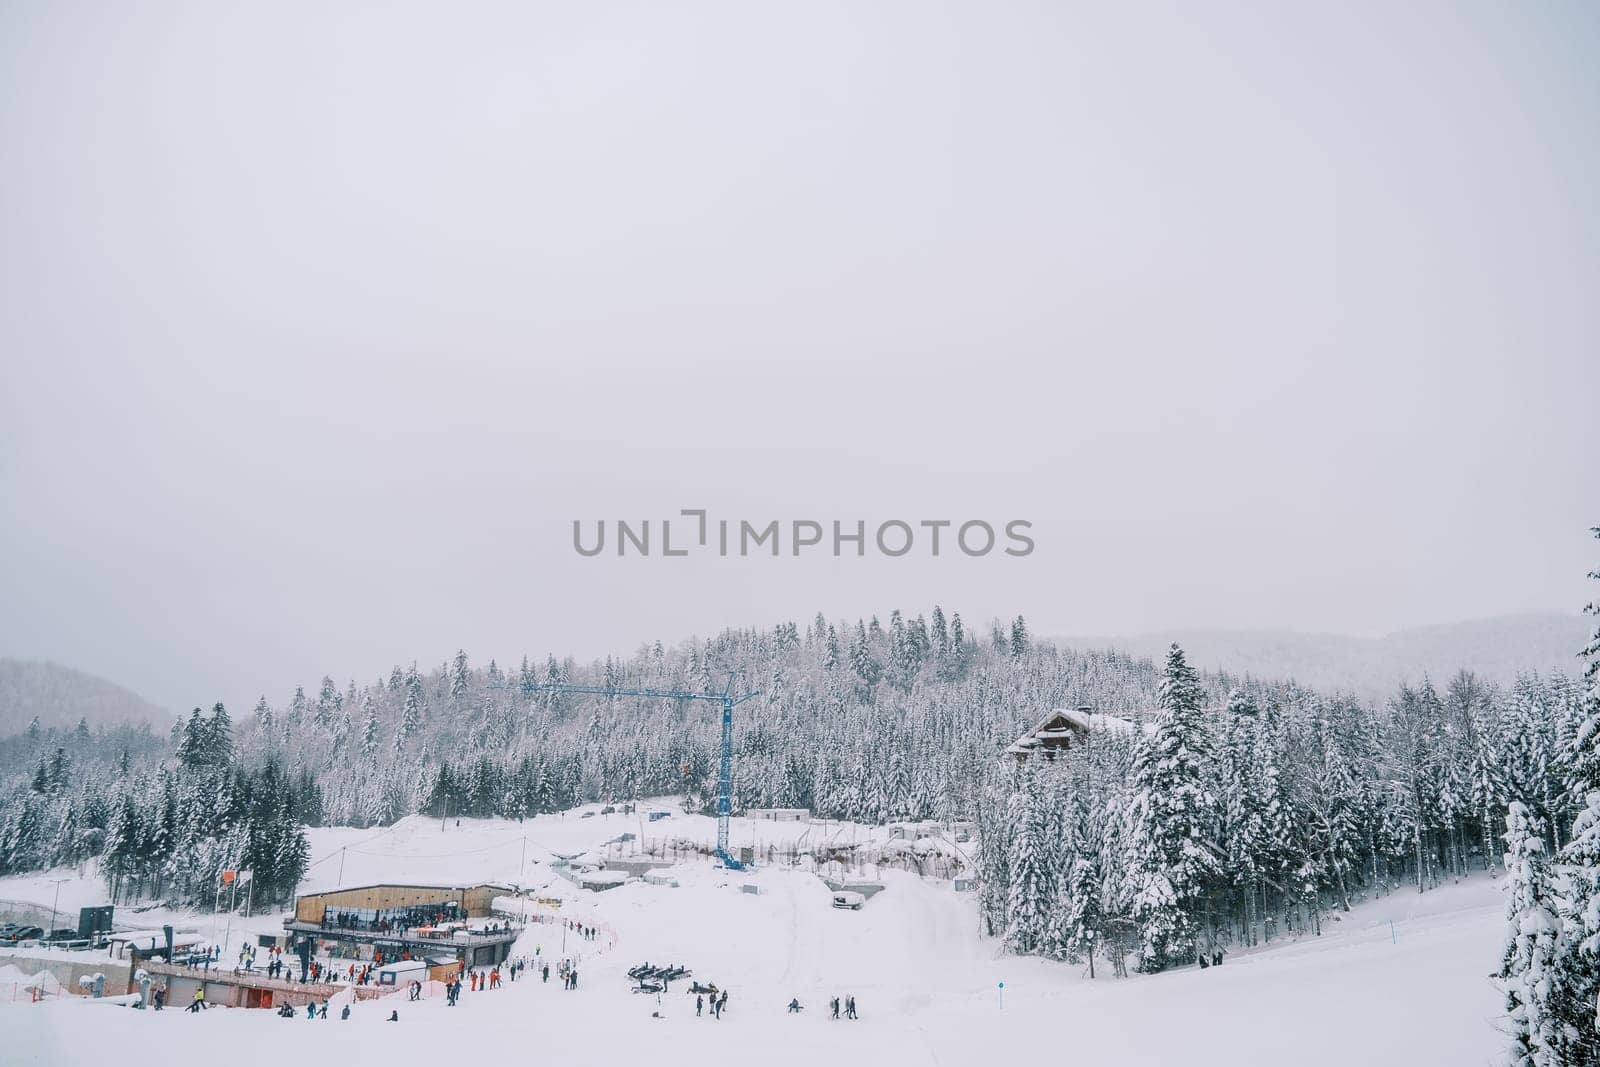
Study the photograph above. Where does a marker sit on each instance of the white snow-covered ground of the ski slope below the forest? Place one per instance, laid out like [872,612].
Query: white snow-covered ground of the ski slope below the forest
[1399,981]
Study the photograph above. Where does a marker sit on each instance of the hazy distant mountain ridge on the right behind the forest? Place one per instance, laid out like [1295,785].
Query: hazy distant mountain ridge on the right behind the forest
[1497,650]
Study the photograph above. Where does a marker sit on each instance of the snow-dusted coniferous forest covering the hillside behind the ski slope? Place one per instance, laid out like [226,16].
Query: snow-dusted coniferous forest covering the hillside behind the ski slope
[1233,812]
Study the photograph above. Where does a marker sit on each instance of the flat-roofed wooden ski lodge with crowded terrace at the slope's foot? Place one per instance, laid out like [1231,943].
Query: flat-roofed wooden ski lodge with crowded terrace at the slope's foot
[417,922]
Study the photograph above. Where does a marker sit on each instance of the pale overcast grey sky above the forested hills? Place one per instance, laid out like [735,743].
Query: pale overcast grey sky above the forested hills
[319,324]
